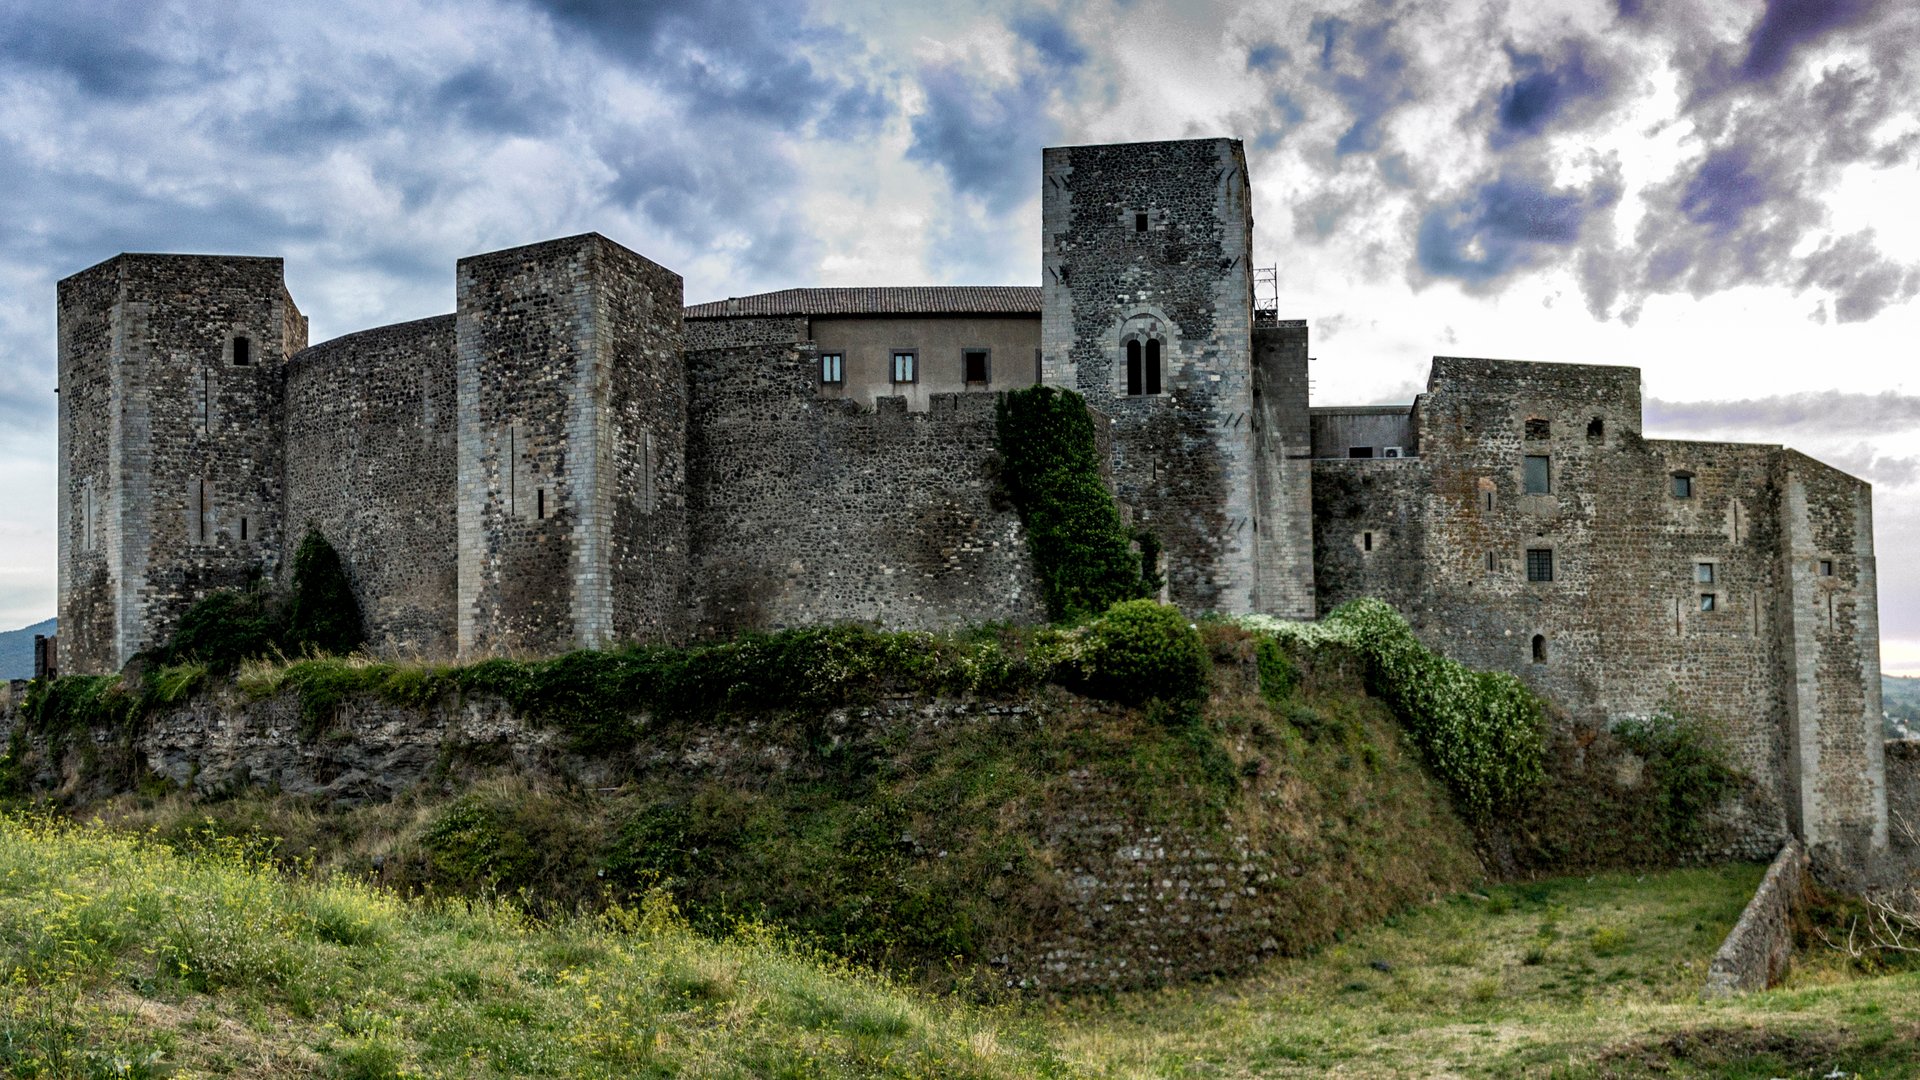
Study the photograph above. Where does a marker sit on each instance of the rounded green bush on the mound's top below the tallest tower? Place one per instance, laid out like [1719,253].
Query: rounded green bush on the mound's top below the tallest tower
[1143,650]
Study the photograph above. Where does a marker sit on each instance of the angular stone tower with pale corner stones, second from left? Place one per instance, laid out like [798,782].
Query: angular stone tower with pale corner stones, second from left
[571,447]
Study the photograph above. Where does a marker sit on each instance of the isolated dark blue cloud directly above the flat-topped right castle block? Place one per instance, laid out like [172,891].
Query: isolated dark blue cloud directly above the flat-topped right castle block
[1504,226]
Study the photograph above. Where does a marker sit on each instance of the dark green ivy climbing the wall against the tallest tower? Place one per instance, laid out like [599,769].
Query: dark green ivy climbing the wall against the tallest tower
[1051,468]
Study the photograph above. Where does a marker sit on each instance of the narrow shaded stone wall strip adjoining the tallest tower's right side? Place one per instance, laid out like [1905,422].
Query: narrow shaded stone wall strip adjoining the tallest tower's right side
[1284,474]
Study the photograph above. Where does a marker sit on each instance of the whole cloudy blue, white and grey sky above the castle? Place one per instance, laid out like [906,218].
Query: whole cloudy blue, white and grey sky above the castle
[1725,195]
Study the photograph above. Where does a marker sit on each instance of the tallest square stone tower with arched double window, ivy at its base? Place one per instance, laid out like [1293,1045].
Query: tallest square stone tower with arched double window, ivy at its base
[1149,314]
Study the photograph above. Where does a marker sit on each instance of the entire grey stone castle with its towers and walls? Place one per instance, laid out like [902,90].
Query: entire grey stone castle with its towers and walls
[577,458]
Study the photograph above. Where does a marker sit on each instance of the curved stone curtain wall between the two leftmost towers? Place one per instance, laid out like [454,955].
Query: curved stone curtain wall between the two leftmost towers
[372,462]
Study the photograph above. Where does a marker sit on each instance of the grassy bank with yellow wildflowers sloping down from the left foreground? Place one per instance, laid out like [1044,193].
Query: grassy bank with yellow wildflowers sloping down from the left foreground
[126,958]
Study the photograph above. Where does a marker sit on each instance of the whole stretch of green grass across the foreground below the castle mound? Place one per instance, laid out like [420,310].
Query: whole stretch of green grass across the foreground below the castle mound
[124,958]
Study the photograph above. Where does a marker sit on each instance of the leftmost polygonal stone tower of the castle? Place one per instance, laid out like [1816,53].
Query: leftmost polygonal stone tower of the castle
[185,497]
